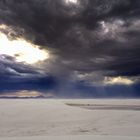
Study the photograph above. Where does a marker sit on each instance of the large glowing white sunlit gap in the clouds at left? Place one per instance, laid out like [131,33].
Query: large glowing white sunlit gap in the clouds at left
[21,50]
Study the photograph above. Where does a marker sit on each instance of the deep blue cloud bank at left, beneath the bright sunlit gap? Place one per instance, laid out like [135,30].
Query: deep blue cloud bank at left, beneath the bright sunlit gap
[16,76]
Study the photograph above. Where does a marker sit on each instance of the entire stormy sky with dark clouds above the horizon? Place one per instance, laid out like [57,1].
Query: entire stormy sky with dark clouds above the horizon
[70,48]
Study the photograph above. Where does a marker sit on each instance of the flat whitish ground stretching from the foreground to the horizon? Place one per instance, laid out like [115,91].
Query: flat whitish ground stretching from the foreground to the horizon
[41,119]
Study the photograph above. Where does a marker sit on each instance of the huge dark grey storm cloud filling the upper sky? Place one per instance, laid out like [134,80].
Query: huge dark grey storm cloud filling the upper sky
[93,36]
